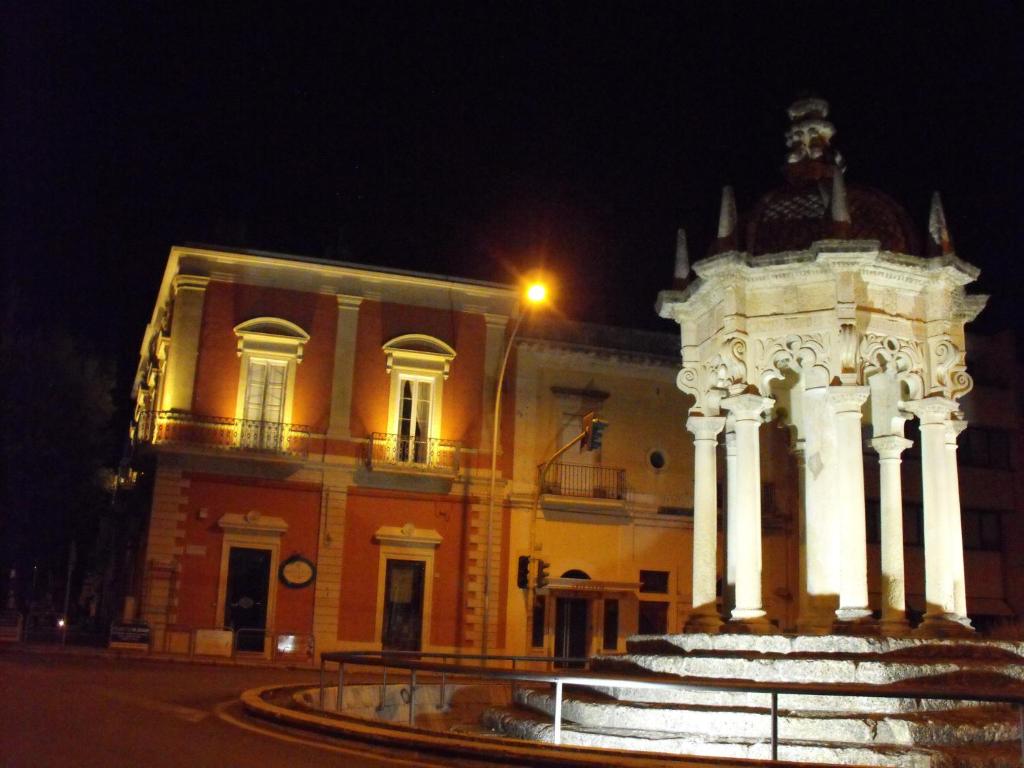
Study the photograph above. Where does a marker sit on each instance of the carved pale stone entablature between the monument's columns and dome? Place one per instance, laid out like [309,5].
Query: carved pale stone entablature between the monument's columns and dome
[838,314]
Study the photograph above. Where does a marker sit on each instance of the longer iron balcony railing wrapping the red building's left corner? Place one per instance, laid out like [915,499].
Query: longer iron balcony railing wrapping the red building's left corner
[176,429]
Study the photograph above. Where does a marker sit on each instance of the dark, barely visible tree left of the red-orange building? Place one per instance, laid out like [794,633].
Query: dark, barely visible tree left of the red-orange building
[56,414]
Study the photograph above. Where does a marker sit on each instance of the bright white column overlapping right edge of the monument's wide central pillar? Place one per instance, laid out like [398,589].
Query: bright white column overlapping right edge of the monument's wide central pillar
[849,501]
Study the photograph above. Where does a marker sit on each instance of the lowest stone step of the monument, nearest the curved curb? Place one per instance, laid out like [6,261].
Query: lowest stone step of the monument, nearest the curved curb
[521,724]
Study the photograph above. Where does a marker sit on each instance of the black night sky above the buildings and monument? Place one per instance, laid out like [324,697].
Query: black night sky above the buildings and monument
[478,140]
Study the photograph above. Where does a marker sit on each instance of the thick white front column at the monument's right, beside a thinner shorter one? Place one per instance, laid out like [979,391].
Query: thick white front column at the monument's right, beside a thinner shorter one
[941,614]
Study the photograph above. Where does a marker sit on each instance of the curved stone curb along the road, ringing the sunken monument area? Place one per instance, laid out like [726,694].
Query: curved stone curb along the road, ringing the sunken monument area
[482,748]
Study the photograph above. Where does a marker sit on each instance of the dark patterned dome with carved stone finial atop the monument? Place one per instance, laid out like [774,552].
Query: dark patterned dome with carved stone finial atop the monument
[816,202]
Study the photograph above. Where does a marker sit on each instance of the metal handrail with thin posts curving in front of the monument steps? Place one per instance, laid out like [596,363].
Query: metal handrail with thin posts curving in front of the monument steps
[560,679]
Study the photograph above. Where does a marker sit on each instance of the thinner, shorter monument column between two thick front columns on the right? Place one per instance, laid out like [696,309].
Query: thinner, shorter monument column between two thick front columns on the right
[890,449]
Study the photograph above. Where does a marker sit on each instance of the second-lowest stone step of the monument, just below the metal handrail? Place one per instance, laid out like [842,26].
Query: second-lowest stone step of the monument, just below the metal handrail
[980,726]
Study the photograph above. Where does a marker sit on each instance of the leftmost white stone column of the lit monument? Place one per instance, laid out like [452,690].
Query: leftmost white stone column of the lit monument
[705,616]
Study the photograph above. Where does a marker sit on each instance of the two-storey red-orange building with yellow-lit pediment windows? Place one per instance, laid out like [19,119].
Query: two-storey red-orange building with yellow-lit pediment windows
[315,439]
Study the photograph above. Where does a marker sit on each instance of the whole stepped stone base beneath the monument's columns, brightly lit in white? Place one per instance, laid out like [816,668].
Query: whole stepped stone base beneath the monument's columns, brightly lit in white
[839,730]
